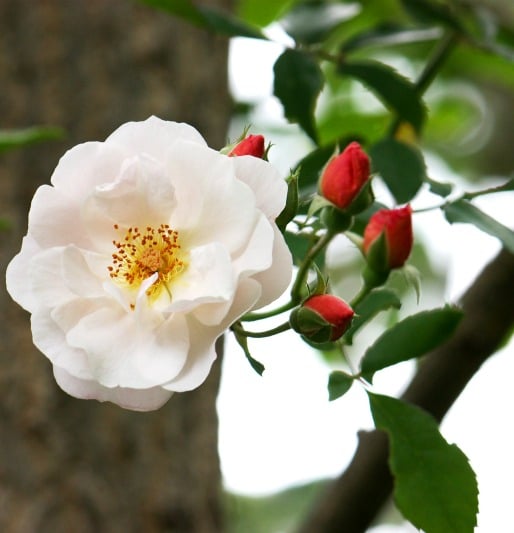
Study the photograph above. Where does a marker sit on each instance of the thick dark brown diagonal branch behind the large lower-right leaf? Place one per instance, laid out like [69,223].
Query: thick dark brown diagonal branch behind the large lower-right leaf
[352,501]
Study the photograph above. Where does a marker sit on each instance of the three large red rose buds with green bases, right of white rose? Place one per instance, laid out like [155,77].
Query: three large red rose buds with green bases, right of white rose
[387,242]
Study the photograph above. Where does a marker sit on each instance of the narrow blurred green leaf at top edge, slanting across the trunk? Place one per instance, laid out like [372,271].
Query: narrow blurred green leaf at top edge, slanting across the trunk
[205,17]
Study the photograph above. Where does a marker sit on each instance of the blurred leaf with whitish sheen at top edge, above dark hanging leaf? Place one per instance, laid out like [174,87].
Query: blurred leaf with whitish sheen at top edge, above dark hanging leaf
[312,23]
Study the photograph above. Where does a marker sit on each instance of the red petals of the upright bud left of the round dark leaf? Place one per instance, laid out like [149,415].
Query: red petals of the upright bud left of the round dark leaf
[345,175]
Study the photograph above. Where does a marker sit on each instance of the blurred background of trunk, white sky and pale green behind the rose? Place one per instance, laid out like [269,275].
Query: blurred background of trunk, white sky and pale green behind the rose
[68,465]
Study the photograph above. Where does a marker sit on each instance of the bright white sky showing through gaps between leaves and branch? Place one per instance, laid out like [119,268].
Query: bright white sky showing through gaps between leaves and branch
[279,430]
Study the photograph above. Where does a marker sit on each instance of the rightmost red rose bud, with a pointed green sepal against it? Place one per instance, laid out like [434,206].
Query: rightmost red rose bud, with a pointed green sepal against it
[393,249]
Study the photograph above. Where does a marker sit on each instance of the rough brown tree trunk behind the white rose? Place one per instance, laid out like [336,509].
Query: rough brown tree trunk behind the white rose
[65,464]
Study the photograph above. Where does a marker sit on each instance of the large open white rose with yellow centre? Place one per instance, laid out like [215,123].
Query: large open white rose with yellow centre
[142,252]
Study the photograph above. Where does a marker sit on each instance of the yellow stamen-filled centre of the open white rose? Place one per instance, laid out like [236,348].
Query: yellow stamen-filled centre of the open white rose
[143,253]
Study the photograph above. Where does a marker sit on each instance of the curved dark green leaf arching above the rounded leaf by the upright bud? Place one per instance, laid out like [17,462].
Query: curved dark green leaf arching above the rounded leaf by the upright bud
[395,91]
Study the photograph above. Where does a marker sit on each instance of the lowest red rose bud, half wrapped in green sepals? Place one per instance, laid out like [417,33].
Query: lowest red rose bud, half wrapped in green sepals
[322,318]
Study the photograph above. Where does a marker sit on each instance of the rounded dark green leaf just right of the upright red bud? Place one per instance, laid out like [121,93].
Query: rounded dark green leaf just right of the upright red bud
[401,166]
